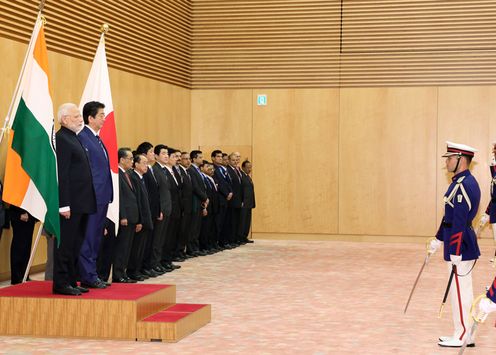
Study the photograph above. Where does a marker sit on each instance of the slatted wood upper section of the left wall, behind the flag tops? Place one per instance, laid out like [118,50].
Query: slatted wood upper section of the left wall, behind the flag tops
[147,38]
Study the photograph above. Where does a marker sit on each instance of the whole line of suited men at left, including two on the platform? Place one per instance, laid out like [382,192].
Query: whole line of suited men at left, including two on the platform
[173,205]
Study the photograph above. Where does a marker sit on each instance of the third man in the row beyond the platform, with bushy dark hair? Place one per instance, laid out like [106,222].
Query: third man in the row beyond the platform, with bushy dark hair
[146,148]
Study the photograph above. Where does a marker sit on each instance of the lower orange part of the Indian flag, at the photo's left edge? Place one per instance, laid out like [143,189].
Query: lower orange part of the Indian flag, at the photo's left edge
[16,180]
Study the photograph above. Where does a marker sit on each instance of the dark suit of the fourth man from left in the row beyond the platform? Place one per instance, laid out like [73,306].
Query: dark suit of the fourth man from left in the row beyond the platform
[159,233]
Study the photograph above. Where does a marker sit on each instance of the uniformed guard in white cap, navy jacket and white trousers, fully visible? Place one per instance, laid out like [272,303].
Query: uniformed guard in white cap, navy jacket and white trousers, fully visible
[458,237]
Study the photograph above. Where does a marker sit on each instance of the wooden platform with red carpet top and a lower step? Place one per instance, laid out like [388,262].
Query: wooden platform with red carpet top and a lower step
[121,311]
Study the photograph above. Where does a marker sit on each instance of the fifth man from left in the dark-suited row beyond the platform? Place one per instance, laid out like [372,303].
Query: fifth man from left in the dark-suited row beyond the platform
[174,225]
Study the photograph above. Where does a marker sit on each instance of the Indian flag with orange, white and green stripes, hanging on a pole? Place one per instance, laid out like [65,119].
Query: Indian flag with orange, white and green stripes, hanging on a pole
[31,167]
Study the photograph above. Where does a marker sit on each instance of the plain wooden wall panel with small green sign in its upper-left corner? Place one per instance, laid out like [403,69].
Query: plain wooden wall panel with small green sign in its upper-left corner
[295,150]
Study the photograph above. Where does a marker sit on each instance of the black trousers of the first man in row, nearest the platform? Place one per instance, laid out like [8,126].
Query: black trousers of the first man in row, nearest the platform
[122,250]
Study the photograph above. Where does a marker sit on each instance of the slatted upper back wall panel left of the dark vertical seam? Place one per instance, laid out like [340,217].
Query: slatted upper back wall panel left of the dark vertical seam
[267,43]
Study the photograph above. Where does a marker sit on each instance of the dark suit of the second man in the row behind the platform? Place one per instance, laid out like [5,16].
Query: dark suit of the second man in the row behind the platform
[135,264]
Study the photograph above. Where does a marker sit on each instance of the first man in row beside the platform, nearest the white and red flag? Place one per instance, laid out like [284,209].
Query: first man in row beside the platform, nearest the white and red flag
[128,218]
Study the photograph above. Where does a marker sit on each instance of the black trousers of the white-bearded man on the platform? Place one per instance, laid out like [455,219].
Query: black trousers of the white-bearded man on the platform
[65,267]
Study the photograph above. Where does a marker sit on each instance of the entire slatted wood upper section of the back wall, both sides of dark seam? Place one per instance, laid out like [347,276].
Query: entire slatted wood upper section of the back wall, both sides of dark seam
[343,43]
